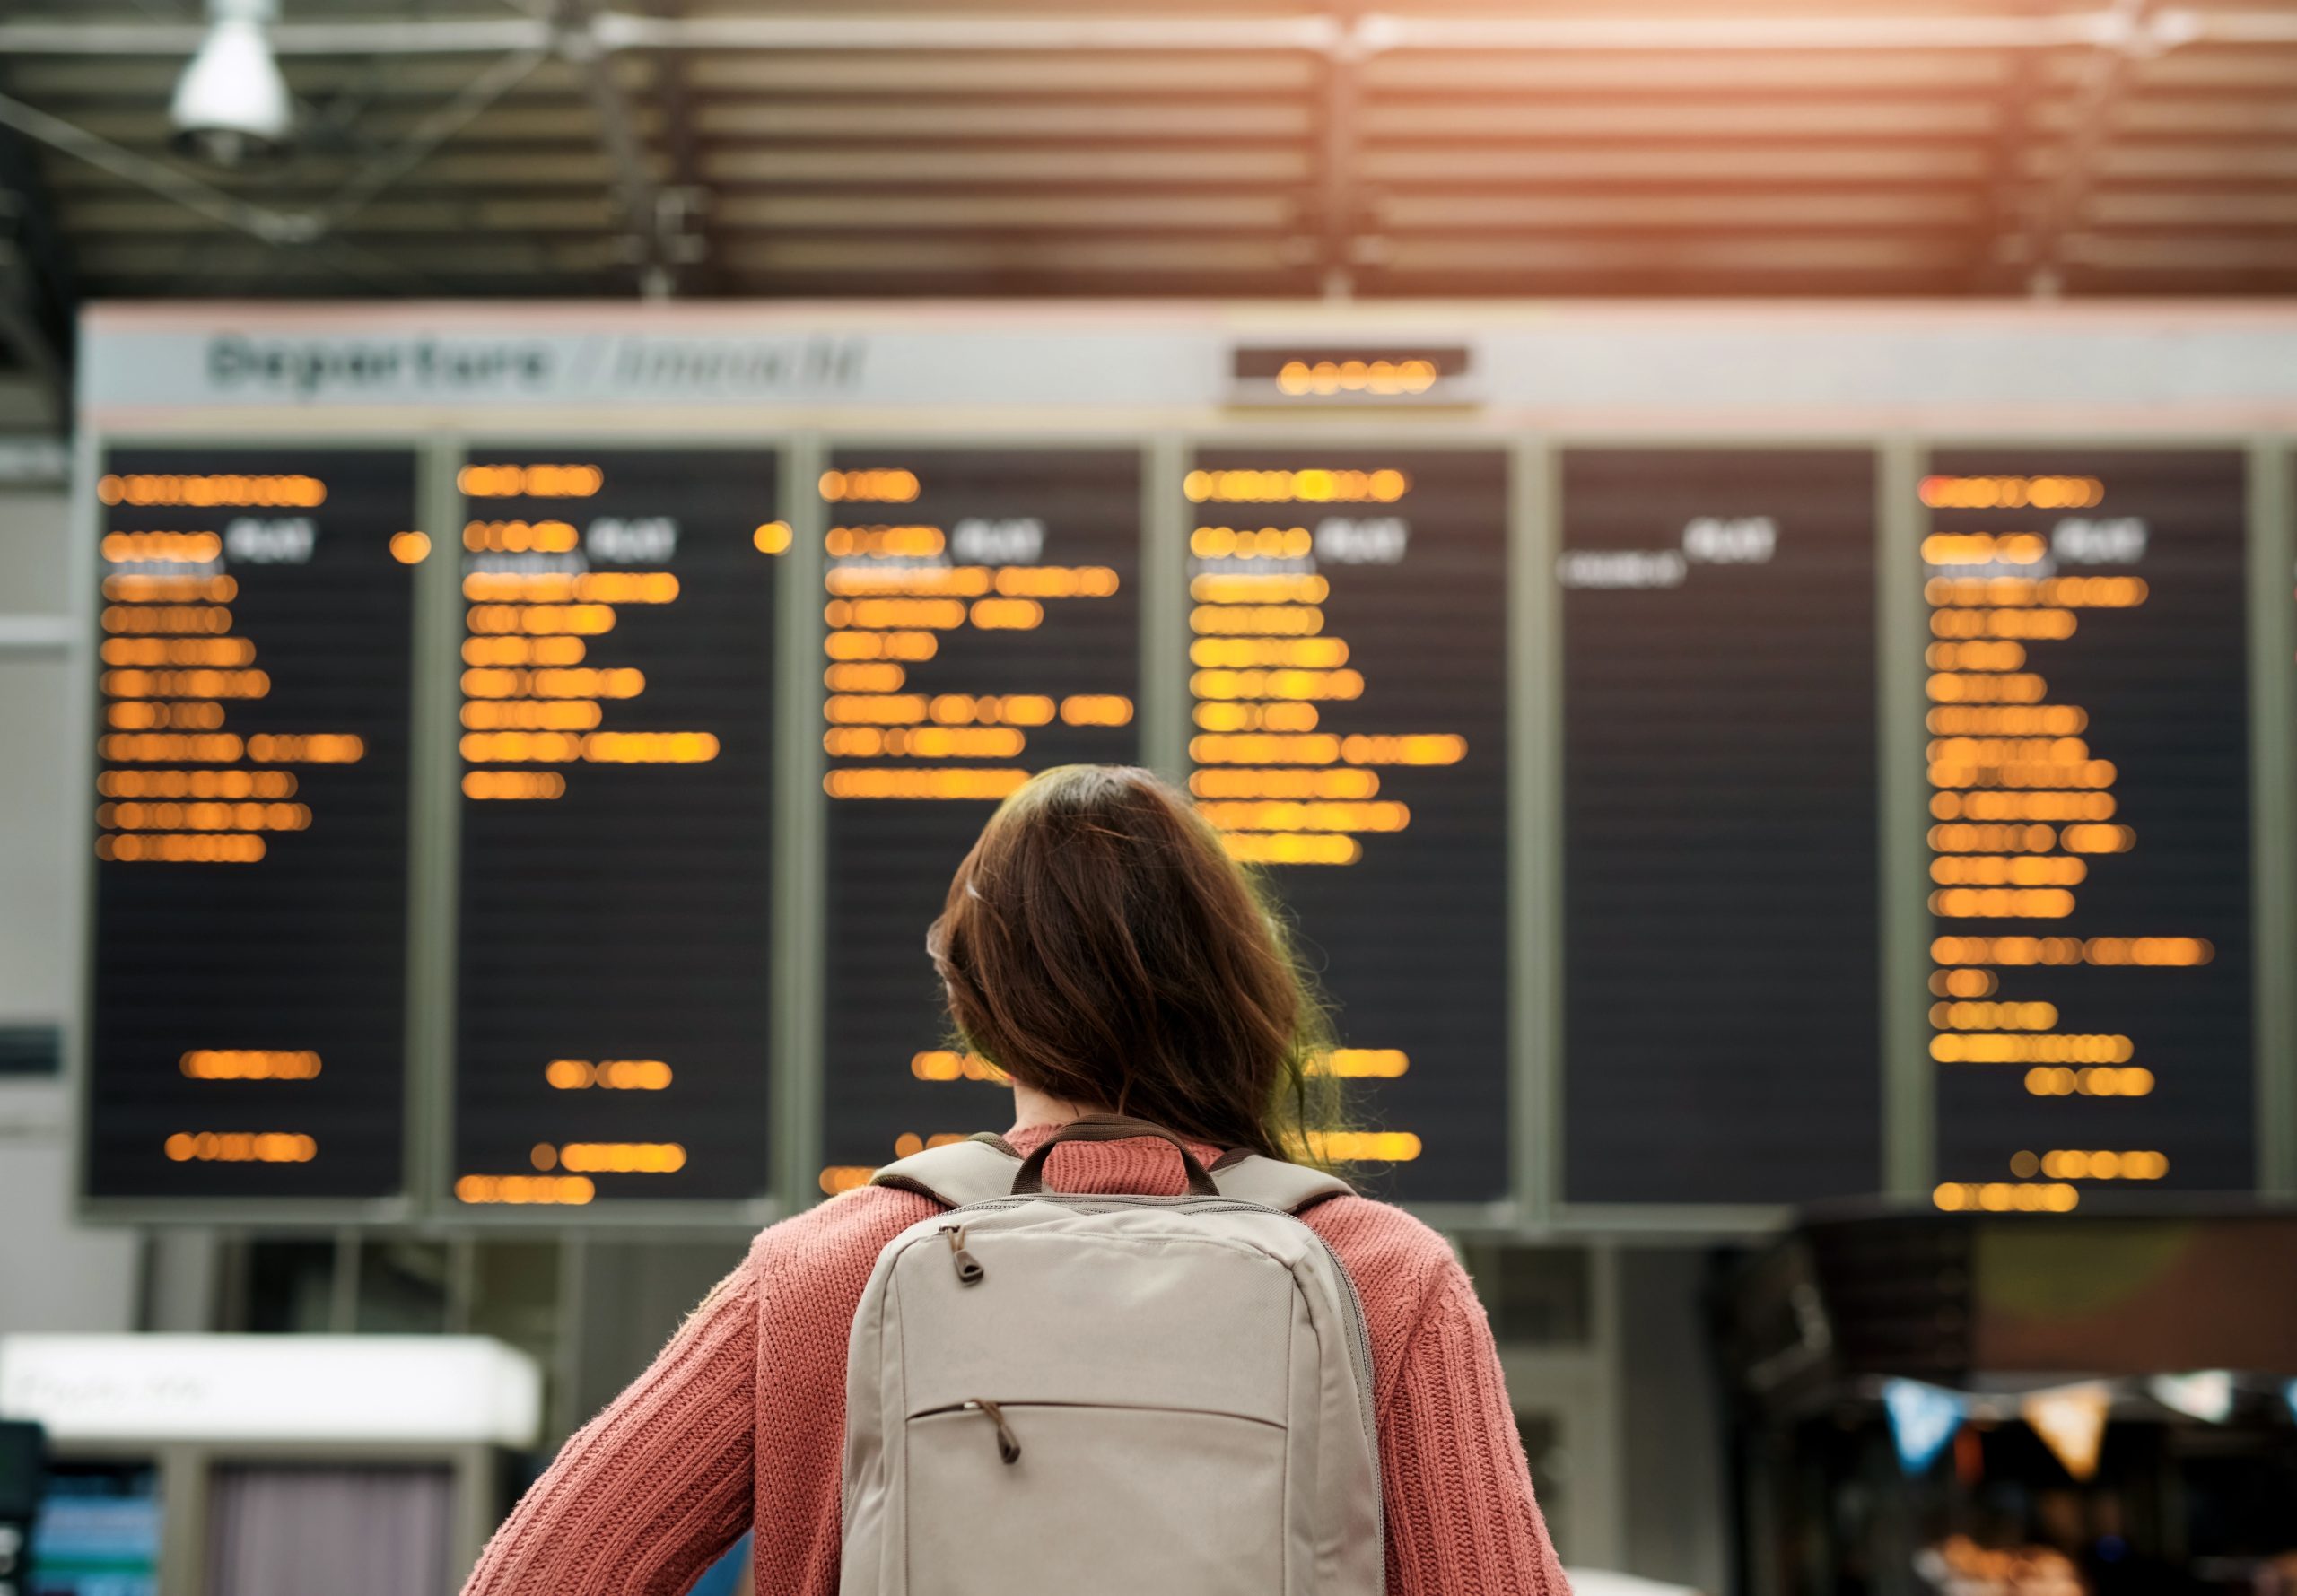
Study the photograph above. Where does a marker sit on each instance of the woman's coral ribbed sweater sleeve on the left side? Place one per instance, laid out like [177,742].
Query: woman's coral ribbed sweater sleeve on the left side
[656,1487]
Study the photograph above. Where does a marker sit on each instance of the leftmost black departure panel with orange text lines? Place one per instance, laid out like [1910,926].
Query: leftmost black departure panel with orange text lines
[249,954]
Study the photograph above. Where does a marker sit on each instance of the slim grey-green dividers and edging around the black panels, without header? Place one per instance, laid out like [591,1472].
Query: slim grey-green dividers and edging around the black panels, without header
[1538,1202]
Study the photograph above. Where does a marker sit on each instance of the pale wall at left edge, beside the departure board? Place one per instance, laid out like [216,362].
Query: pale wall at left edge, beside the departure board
[54,1273]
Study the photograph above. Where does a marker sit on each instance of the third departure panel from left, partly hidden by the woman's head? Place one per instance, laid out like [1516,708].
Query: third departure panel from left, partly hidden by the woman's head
[982,623]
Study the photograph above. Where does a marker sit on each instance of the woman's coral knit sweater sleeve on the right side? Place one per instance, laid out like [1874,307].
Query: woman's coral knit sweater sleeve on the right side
[1462,1519]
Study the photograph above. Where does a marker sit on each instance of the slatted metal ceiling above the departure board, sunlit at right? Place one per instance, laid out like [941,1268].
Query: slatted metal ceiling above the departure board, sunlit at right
[1552,148]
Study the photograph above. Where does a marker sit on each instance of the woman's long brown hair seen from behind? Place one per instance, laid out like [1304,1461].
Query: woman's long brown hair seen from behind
[1104,947]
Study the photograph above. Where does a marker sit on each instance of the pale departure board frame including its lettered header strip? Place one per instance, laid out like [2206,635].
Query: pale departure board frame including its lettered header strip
[1533,415]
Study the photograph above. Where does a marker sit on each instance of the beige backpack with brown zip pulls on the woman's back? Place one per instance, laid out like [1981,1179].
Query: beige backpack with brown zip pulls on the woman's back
[1060,1395]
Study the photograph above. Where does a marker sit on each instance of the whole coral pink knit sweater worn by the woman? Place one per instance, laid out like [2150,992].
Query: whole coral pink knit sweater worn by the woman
[741,1423]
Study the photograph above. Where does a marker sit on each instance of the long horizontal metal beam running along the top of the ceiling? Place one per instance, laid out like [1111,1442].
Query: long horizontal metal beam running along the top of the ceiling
[1317,33]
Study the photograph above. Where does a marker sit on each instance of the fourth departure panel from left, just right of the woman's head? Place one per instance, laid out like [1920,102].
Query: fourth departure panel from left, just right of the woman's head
[1349,699]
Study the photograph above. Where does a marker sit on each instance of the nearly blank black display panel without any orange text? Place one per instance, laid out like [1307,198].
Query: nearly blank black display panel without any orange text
[1722,945]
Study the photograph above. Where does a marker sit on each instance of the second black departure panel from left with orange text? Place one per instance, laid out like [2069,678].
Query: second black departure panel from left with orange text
[617,823]
